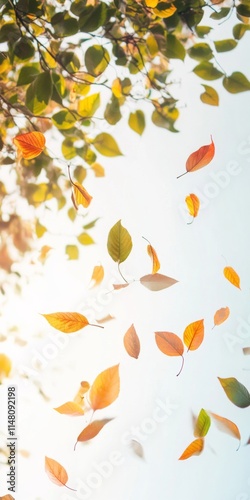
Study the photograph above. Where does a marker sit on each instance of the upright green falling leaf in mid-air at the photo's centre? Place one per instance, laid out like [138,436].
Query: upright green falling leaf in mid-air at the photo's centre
[119,243]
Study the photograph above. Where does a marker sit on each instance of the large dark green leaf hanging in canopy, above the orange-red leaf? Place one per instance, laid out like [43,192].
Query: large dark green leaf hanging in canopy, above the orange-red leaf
[39,93]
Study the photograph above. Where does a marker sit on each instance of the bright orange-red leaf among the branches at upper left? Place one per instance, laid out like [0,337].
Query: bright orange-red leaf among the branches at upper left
[30,145]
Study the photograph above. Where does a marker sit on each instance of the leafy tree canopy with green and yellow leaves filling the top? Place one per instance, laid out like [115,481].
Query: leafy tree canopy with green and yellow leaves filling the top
[66,67]
